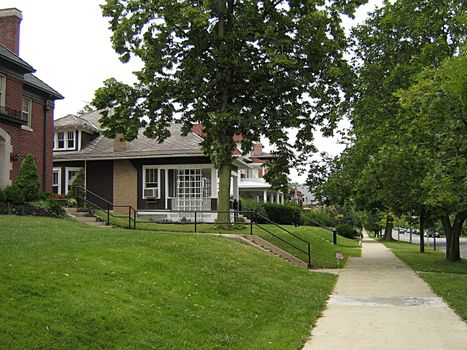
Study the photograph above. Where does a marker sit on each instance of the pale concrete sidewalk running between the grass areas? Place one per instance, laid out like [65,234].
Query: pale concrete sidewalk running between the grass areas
[380,303]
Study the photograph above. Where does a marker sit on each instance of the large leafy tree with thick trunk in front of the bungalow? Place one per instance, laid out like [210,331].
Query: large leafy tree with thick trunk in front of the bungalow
[254,68]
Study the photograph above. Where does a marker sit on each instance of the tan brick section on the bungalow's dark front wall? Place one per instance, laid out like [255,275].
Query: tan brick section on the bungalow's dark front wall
[125,184]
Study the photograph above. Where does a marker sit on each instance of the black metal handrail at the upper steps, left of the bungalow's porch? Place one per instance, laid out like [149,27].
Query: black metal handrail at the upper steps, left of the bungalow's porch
[82,197]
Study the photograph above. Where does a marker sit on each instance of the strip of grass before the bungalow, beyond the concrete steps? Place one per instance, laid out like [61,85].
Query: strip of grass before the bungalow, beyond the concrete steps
[323,252]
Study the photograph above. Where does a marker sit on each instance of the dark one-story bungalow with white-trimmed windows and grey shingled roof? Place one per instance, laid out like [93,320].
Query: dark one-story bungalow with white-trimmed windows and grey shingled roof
[150,176]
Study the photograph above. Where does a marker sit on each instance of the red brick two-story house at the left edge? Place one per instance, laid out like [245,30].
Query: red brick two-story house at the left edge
[26,108]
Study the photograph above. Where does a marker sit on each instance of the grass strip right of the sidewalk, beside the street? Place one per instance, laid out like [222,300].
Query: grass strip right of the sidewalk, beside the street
[447,279]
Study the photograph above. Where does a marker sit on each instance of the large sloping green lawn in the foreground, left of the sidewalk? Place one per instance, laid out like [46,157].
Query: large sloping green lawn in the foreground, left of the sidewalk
[65,285]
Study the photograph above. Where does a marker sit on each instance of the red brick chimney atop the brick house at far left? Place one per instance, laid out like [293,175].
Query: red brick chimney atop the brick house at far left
[10,20]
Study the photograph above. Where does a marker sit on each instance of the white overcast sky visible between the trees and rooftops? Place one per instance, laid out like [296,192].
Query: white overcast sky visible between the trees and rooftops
[68,43]
